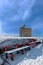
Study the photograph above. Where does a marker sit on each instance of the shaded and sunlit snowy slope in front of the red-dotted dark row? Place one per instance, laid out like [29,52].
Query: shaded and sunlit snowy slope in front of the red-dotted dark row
[33,57]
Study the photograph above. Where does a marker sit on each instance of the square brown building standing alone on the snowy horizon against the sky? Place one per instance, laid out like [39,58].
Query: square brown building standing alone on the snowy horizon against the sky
[25,32]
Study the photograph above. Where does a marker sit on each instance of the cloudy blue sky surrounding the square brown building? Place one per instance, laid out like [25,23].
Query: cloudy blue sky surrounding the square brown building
[15,13]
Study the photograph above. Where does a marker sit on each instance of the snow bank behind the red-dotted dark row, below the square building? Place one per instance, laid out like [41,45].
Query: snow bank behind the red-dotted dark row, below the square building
[10,42]
